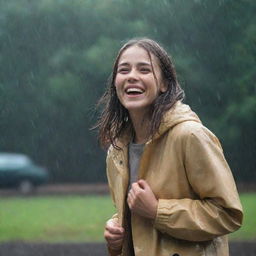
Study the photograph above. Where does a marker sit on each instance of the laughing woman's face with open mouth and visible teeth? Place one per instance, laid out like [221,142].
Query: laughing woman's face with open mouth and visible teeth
[136,85]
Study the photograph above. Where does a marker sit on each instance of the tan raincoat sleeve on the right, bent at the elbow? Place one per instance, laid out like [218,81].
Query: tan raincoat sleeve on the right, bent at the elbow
[216,210]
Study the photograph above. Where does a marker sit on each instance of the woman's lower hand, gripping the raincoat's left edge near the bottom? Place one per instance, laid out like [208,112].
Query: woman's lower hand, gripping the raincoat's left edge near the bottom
[114,235]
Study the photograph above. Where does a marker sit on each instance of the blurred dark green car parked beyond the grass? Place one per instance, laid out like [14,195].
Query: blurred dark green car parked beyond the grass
[18,170]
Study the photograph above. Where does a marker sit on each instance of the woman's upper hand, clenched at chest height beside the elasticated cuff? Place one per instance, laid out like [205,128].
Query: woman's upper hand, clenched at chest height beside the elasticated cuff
[141,200]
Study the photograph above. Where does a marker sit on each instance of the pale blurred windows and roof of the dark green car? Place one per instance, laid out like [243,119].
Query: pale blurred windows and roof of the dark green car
[14,160]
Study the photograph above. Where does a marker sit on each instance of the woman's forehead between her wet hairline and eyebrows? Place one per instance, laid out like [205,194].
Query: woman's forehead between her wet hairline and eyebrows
[135,54]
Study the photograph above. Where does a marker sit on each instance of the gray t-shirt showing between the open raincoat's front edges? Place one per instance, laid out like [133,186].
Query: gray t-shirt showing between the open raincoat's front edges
[135,152]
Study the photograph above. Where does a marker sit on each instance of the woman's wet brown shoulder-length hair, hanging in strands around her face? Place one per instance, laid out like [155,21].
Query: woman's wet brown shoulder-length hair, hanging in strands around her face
[114,119]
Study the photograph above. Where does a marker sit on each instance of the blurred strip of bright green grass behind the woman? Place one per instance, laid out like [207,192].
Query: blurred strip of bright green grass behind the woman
[79,218]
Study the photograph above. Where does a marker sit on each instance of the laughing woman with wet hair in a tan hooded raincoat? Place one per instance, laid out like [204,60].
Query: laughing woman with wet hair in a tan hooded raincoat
[171,185]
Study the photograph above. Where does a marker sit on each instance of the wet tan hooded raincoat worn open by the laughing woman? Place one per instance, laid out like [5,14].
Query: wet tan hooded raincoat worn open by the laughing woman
[198,201]
